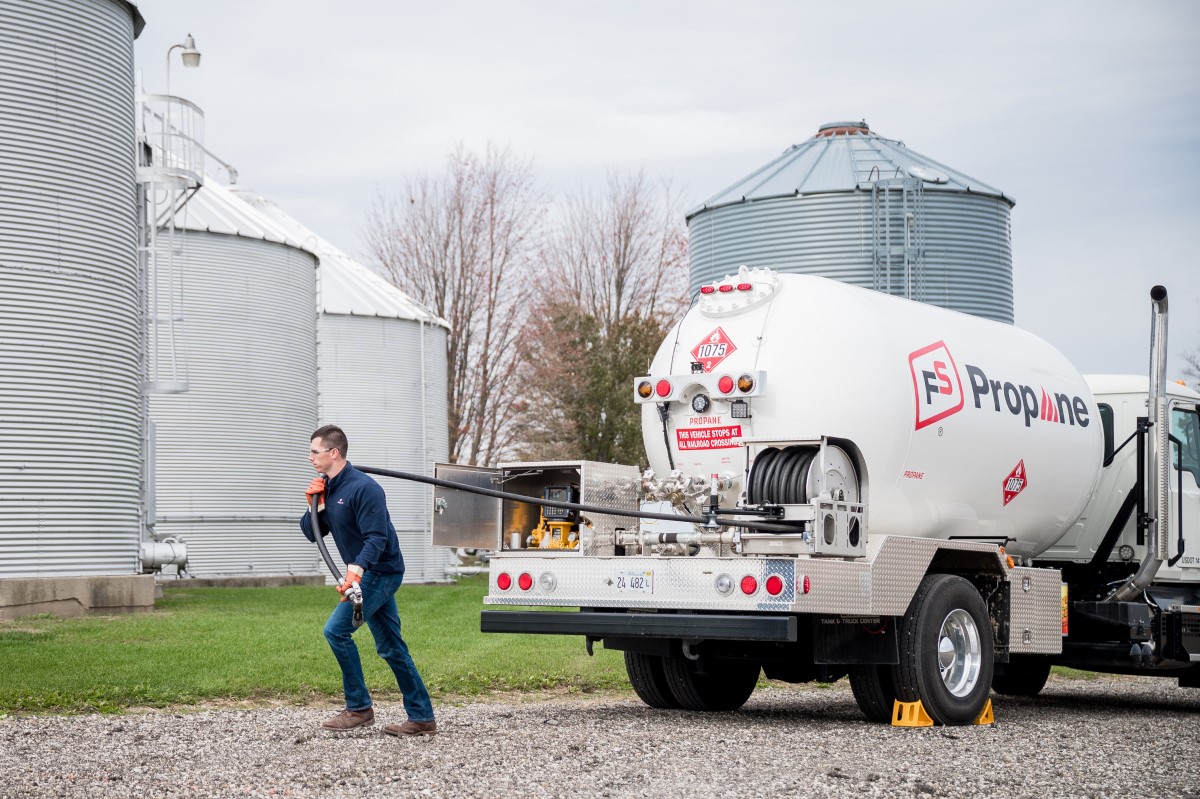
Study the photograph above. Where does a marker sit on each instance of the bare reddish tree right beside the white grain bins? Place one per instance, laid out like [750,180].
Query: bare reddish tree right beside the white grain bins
[463,245]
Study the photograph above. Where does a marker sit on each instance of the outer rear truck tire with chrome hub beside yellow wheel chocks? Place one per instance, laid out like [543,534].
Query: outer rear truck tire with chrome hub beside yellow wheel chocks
[946,651]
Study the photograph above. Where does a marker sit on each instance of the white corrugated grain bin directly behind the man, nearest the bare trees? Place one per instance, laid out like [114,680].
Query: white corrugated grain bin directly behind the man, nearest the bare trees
[382,376]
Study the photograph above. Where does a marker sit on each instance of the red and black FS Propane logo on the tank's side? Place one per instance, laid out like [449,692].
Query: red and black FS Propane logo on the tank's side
[939,392]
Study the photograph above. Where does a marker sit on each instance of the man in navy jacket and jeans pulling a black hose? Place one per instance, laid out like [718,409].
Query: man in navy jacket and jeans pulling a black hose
[353,508]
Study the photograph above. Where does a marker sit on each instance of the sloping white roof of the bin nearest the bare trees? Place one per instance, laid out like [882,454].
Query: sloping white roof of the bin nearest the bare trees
[345,286]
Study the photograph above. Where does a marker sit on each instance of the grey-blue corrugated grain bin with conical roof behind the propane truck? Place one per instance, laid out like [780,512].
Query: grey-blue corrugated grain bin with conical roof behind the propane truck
[853,206]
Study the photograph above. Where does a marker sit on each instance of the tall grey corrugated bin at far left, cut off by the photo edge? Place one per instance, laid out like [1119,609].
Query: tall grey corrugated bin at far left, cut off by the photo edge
[70,315]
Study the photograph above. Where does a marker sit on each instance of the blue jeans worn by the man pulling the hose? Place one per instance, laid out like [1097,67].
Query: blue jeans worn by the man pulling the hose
[381,615]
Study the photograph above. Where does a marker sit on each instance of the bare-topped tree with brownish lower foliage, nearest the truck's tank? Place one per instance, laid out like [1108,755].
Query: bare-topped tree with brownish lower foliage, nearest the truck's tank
[617,265]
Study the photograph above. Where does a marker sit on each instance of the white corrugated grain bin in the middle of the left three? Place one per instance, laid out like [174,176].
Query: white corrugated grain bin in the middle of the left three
[231,462]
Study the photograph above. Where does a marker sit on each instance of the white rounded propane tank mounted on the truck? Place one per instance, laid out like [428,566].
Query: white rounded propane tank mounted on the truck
[965,428]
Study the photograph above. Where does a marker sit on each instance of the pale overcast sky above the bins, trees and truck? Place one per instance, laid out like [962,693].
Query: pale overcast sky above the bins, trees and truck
[1084,112]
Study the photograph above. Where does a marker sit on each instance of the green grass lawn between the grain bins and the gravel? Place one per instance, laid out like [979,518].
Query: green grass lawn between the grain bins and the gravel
[205,645]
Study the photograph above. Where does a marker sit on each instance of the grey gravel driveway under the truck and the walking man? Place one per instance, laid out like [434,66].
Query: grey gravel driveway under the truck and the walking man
[1108,737]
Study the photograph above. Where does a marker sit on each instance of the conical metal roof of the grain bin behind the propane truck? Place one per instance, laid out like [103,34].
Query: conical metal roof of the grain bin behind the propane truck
[844,157]
